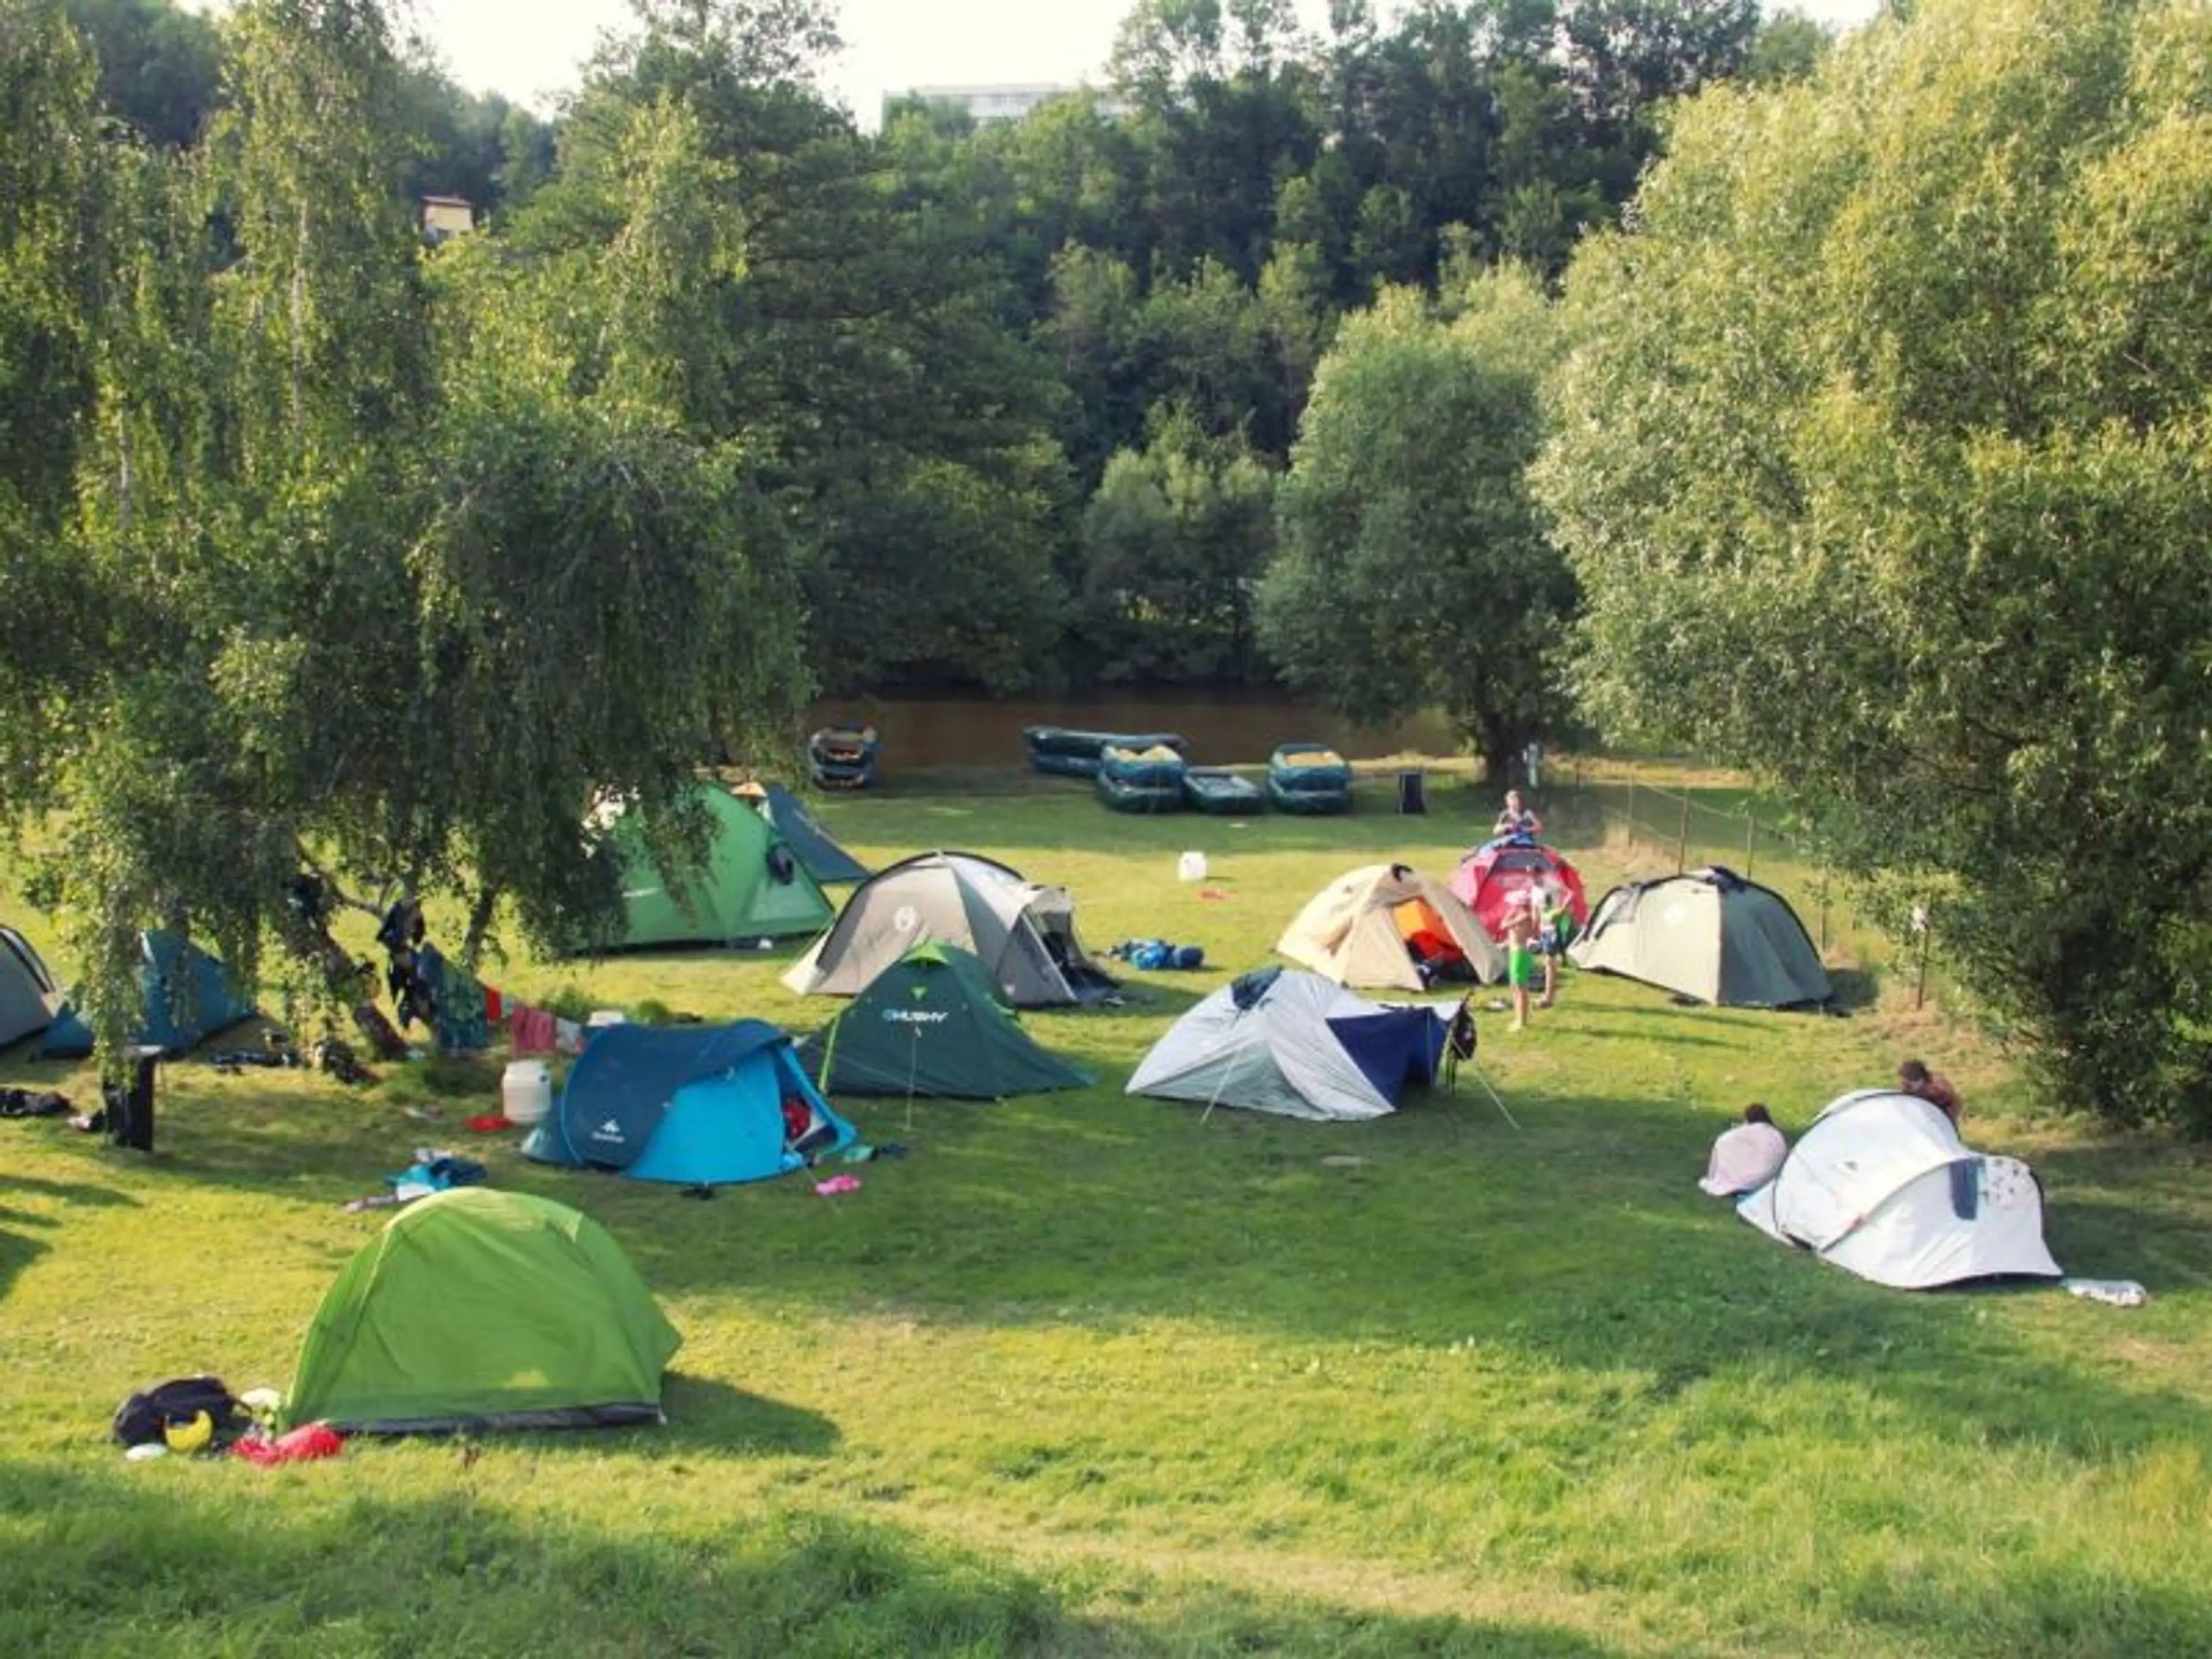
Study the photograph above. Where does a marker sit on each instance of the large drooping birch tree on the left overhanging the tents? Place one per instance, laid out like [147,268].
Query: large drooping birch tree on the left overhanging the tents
[395,581]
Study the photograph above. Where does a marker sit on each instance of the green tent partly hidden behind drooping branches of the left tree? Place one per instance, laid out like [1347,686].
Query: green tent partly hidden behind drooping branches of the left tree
[753,886]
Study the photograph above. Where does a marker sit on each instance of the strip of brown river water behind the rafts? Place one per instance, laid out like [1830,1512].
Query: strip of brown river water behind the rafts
[1224,729]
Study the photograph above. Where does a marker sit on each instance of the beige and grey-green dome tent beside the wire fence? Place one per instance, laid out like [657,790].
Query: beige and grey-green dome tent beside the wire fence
[1711,937]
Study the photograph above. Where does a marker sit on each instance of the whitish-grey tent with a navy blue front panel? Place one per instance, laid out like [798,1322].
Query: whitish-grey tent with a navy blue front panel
[1297,1045]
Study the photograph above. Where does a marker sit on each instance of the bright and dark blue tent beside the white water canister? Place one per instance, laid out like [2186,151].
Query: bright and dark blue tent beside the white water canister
[689,1105]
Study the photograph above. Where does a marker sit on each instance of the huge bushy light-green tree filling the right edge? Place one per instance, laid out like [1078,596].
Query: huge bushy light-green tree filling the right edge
[1884,459]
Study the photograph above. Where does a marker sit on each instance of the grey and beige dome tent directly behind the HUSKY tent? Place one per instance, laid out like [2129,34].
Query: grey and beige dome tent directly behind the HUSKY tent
[1021,932]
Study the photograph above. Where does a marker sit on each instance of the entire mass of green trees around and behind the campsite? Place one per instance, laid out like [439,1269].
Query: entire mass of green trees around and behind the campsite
[1839,410]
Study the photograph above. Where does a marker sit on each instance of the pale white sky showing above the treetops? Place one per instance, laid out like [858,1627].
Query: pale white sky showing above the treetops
[530,50]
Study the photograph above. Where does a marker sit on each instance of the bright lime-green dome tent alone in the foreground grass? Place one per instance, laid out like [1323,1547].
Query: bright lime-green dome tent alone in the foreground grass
[481,1308]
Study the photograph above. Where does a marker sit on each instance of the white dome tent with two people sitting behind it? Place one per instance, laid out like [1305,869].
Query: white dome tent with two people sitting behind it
[1884,1185]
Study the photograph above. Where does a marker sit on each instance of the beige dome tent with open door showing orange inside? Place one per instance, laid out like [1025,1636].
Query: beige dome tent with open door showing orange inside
[1388,926]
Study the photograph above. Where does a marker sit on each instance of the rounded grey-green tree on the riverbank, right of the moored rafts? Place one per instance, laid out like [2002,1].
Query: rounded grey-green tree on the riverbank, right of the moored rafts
[1415,567]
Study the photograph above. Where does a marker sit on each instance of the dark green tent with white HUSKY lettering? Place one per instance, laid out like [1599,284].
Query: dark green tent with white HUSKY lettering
[932,1025]
